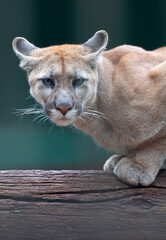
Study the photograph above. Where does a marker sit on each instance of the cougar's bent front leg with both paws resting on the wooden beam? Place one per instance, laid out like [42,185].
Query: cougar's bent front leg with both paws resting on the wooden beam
[142,167]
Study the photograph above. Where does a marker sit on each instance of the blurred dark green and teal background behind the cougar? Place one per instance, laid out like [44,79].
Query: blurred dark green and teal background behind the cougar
[26,144]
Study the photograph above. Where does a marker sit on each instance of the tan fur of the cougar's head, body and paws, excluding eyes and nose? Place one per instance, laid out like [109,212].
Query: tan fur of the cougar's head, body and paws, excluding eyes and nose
[126,87]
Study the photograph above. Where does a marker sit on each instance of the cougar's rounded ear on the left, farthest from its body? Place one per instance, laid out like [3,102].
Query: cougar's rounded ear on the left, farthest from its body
[23,49]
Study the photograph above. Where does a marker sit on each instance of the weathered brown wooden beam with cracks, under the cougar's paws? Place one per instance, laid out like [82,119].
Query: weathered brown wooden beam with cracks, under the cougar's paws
[79,205]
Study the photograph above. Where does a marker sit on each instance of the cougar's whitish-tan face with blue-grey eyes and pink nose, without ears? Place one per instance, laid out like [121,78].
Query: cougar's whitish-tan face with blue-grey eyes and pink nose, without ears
[65,85]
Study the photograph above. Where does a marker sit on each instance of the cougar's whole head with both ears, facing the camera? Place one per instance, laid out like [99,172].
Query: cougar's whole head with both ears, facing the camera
[63,79]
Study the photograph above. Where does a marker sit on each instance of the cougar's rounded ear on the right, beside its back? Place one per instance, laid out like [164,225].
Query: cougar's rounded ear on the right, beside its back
[96,45]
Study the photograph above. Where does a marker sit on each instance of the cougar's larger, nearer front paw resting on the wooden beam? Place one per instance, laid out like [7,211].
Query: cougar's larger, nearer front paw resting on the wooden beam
[133,173]
